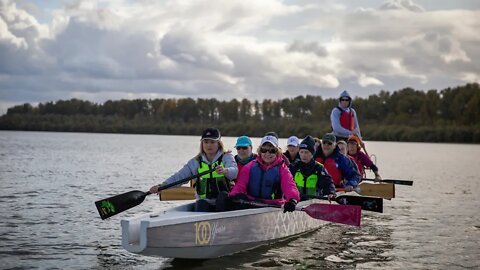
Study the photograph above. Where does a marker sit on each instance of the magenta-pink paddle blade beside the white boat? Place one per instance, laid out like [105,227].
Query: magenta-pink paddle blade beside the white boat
[343,214]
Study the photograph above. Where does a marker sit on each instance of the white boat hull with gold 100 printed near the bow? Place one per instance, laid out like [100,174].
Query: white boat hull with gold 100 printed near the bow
[181,233]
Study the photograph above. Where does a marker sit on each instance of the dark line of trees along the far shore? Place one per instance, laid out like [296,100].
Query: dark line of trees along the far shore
[449,115]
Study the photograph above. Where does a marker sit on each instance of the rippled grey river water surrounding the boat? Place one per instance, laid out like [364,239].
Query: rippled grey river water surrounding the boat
[49,181]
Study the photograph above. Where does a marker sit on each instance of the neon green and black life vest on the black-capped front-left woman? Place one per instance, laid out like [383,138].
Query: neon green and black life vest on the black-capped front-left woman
[209,185]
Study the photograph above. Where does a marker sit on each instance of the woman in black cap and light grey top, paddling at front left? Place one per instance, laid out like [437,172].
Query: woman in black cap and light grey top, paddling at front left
[211,155]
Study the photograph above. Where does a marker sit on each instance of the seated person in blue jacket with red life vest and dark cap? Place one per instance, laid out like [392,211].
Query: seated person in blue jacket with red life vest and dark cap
[343,171]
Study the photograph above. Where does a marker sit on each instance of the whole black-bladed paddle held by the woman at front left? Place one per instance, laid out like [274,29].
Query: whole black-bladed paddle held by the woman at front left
[111,206]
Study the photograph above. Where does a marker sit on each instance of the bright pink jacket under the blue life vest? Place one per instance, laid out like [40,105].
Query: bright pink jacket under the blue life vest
[287,184]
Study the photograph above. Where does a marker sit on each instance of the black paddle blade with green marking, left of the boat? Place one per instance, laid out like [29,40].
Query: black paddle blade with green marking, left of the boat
[119,203]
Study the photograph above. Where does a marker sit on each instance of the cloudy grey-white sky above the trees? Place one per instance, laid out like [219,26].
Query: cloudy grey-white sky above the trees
[255,49]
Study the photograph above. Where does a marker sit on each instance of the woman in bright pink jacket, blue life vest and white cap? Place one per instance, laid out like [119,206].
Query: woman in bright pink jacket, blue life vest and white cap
[267,178]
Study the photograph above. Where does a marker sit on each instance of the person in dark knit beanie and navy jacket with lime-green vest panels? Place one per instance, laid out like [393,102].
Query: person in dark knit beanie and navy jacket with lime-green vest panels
[310,176]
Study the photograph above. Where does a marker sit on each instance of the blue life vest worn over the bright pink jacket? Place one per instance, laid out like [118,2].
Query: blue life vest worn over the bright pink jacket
[264,184]
